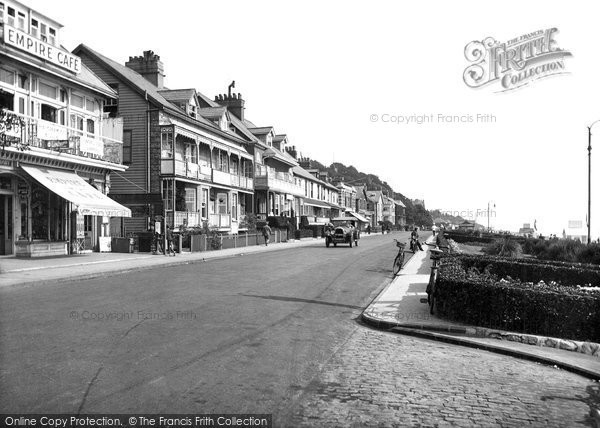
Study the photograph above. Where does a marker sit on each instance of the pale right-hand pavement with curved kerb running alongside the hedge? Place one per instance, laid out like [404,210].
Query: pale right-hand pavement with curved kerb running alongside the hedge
[401,308]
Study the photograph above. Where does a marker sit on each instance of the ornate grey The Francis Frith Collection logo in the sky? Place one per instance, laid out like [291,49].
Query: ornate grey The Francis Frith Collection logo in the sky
[514,63]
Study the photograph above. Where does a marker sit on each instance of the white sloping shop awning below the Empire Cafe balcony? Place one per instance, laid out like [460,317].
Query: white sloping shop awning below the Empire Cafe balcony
[73,188]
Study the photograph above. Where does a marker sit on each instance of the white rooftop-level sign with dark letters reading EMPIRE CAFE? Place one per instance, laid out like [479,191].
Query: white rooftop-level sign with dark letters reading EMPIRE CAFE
[53,54]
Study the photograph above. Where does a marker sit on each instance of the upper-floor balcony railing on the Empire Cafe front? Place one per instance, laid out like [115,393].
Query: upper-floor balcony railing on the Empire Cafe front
[47,135]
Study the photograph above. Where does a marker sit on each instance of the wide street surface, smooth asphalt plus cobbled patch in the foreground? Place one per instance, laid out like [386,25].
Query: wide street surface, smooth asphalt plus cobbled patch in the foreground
[263,333]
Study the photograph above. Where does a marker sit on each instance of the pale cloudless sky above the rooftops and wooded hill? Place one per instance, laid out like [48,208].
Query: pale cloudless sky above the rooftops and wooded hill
[337,76]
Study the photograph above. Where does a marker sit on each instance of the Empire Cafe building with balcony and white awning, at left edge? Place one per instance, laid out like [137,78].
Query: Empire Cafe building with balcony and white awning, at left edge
[57,148]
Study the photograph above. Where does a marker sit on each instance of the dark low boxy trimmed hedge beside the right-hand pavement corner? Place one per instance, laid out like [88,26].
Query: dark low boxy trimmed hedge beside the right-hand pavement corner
[476,290]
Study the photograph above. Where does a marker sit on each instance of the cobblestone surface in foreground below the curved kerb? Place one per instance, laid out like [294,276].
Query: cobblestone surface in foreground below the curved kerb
[383,379]
